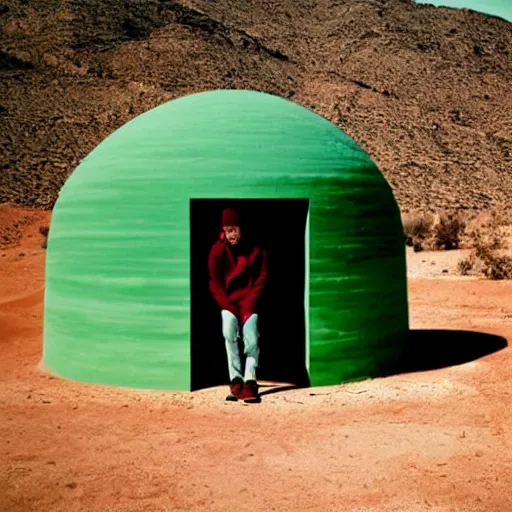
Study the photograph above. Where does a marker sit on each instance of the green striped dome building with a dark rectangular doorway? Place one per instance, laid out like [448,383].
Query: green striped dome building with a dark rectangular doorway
[127,301]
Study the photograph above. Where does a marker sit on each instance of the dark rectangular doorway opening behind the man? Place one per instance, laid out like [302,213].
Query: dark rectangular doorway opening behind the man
[280,226]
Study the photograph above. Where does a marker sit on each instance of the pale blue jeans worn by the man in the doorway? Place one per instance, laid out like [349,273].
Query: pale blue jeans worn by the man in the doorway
[230,331]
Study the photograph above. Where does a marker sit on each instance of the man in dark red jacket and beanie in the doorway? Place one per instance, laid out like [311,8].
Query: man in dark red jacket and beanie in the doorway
[238,274]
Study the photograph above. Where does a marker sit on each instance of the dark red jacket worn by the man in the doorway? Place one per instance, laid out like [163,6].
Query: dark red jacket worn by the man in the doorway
[238,275]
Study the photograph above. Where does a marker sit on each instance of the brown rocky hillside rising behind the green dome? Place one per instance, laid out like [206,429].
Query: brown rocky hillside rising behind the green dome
[426,91]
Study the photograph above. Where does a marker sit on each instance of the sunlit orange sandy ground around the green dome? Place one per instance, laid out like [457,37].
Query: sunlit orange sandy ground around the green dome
[437,441]
